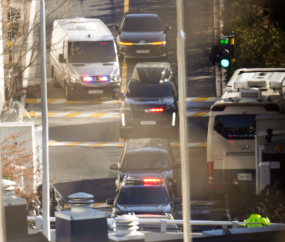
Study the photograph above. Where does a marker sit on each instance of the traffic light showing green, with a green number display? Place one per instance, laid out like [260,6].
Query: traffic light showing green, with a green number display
[225,52]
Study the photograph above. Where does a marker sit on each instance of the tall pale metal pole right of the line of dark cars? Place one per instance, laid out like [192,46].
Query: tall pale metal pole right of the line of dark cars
[183,123]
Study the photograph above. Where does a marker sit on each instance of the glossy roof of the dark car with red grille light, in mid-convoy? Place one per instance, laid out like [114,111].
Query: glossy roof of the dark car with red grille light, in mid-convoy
[150,72]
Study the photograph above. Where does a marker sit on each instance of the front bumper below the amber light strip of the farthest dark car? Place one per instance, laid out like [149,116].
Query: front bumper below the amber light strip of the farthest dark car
[143,51]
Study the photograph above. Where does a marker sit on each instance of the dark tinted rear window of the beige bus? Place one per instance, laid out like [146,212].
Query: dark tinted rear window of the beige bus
[236,126]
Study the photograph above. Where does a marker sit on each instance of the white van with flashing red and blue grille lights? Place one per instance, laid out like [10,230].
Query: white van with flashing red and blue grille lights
[84,58]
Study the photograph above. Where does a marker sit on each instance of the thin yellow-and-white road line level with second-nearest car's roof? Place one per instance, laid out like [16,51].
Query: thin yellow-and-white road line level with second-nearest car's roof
[113,144]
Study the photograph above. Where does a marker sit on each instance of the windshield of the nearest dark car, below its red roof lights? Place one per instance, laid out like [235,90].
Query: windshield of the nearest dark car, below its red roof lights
[143,195]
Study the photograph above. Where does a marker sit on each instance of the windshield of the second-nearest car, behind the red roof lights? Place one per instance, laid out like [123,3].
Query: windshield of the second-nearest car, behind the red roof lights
[145,160]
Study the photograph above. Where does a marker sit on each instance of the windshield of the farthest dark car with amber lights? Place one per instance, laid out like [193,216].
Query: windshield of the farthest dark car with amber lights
[142,23]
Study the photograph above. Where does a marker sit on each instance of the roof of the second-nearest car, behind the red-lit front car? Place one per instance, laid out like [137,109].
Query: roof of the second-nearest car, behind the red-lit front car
[157,143]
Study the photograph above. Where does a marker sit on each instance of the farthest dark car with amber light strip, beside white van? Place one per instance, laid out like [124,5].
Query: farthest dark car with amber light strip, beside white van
[142,35]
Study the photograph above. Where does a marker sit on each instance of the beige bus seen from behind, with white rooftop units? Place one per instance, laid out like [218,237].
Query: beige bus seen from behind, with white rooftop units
[232,126]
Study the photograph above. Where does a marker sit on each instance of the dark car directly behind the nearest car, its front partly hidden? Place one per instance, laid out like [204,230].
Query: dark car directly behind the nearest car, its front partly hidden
[148,157]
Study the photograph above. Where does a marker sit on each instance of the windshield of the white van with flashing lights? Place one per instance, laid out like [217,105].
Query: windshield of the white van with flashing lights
[91,52]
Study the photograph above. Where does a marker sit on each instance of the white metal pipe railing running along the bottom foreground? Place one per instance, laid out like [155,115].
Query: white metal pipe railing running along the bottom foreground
[163,222]
